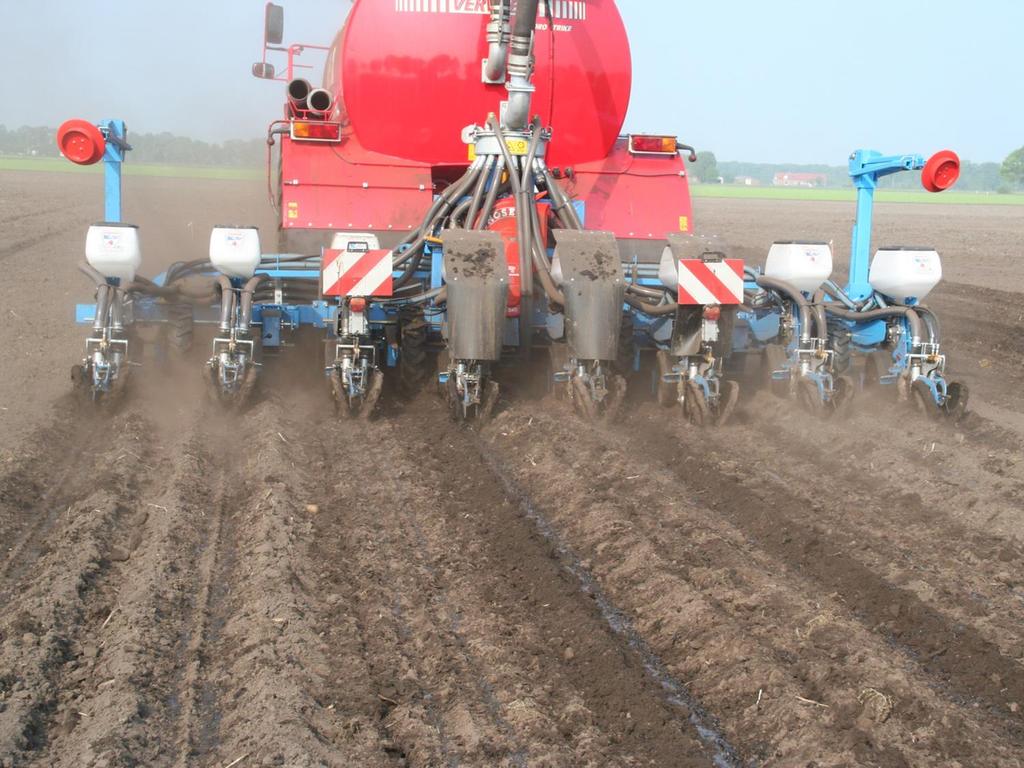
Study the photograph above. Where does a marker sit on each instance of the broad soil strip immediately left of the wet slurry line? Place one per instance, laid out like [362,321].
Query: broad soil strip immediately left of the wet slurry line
[532,673]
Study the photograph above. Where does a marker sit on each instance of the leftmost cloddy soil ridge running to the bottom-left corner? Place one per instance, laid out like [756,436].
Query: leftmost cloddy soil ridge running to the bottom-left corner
[53,621]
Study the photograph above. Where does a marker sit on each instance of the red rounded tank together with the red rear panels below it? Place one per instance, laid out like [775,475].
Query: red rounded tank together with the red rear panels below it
[407,76]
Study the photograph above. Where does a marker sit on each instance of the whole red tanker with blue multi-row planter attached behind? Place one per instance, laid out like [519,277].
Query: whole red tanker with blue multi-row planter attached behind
[457,201]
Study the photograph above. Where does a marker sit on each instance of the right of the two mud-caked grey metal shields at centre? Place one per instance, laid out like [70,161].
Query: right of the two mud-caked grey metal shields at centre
[594,289]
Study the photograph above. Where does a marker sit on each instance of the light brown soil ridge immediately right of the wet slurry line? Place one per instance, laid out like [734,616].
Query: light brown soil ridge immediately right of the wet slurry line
[782,658]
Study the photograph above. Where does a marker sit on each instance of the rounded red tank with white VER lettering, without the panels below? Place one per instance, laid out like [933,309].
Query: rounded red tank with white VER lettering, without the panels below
[407,74]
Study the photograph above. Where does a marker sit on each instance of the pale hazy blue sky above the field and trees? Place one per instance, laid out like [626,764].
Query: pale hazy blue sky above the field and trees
[793,81]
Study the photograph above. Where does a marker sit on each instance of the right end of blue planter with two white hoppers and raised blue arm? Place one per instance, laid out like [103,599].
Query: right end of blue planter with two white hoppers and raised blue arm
[808,330]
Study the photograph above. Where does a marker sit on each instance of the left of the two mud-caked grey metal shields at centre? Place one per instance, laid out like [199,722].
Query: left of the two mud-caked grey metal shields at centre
[477,276]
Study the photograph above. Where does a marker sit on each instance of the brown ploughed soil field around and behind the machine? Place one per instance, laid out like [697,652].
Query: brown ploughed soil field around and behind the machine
[185,587]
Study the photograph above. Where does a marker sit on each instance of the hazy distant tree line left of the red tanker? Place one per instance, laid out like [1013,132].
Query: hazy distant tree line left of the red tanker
[158,149]
